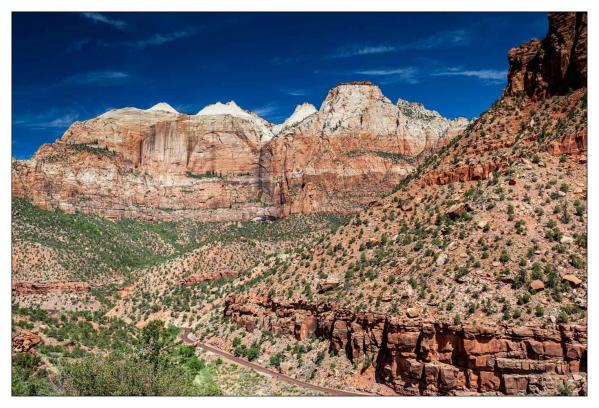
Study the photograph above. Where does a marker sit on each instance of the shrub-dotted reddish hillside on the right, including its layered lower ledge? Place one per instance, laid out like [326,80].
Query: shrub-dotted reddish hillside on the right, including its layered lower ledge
[471,278]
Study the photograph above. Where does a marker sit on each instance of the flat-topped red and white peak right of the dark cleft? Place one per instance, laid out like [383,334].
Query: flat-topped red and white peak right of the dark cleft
[358,146]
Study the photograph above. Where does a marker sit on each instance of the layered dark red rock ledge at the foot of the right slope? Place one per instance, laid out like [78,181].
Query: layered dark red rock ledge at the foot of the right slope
[416,357]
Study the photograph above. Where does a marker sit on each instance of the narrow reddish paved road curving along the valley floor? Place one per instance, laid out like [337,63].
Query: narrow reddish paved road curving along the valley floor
[285,378]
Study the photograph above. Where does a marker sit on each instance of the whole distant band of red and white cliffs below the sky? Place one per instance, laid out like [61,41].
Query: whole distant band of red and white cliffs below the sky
[225,163]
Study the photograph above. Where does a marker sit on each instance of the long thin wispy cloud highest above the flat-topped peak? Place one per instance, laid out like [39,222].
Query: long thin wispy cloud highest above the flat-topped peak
[449,38]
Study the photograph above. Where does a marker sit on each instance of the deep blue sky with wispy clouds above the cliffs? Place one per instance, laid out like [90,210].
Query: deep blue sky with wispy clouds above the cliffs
[75,66]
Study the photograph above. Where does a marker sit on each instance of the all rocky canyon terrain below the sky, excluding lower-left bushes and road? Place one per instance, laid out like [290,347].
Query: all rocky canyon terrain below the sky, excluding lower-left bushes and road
[458,268]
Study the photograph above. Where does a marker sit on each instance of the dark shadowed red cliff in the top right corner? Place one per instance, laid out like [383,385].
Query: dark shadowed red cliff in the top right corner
[554,65]
